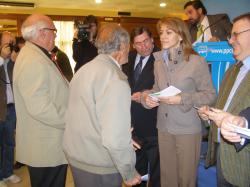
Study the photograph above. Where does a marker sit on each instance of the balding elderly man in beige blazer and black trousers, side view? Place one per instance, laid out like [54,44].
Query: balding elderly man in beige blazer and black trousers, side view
[41,95]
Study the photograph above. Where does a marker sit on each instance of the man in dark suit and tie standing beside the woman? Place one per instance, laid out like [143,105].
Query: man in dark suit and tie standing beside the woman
[140,72]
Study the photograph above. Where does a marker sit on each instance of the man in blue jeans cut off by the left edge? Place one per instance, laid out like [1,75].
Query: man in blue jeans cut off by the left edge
[7,111]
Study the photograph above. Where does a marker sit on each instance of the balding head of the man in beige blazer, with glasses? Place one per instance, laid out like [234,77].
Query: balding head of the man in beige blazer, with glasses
[38,29]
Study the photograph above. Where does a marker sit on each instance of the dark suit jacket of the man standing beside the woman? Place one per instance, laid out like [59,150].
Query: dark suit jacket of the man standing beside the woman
[143,120]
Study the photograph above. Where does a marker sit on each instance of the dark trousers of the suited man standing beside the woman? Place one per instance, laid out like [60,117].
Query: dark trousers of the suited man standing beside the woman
[148,161]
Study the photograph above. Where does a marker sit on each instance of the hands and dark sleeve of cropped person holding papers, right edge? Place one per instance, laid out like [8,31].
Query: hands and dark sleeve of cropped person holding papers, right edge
[228,132]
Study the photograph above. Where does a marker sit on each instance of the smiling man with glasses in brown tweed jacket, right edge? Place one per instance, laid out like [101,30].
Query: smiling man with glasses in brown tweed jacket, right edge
[232,167]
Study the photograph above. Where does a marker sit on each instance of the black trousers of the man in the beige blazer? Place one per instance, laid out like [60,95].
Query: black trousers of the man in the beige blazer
[48,176]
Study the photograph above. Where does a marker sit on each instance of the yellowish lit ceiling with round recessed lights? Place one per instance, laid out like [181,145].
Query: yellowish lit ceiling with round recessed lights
[138,8]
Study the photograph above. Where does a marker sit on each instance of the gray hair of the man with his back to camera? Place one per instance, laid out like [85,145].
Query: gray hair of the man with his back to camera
[110,37]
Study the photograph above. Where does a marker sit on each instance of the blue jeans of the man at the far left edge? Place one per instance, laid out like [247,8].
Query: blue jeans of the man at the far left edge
[7,143]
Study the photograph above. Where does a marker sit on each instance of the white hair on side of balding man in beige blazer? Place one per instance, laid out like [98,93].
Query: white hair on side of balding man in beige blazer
[30,32]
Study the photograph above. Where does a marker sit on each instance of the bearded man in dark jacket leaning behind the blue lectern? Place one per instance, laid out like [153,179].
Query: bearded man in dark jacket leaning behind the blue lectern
[205,27]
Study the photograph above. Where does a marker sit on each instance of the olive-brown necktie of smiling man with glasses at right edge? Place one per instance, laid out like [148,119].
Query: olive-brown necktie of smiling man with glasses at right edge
[229,85]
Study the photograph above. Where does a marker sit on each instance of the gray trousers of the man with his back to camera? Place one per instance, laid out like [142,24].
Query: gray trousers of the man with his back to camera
[86,179]
